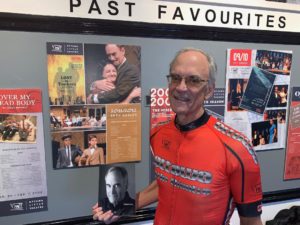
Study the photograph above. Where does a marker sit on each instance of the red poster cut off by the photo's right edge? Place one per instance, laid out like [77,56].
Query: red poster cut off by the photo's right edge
[292,155]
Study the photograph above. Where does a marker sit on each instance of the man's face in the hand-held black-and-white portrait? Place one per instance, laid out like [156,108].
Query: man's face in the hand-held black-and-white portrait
[115,187]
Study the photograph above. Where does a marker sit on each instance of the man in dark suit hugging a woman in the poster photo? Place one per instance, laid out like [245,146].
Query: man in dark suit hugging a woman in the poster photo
[128,78]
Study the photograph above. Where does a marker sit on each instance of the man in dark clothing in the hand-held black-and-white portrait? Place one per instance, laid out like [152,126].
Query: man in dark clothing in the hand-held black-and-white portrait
[118,200]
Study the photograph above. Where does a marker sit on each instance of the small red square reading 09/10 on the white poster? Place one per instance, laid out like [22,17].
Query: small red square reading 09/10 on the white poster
[240,57]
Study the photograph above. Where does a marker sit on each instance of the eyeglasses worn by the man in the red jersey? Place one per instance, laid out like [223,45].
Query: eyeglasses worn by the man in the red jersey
[190,81]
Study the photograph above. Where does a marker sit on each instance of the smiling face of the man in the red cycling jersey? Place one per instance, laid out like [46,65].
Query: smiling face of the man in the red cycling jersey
[187,102]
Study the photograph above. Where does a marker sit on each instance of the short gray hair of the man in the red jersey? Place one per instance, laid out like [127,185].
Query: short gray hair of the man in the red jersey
[211,63]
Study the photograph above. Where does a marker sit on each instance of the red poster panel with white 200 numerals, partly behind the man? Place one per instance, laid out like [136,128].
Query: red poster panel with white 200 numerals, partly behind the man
[160,107]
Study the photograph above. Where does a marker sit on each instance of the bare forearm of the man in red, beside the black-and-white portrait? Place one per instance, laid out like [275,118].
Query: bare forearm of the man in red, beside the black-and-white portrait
[147,196]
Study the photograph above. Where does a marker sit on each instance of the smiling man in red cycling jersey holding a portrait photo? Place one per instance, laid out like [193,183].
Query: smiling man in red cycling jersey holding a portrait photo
[204,168]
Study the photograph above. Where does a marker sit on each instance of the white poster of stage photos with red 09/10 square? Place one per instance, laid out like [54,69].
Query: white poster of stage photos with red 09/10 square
[257,94]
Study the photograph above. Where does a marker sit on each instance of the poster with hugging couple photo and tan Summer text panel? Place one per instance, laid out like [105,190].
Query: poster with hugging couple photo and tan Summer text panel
[92,88]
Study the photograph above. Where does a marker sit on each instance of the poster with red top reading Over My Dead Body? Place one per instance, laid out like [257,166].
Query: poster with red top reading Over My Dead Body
[22,152]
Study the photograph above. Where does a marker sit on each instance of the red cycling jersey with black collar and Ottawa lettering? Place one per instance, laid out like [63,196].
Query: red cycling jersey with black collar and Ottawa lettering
[204,170]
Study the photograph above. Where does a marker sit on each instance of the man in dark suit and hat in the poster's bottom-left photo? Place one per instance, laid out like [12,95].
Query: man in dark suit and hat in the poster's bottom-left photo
[68,155]
